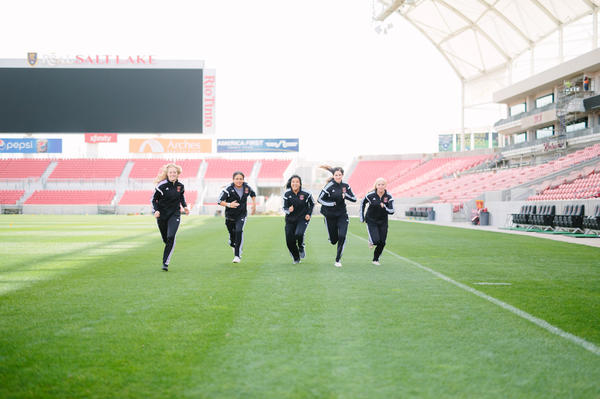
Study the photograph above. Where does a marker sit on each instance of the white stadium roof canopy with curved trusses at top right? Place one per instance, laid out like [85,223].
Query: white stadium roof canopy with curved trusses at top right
[481,37]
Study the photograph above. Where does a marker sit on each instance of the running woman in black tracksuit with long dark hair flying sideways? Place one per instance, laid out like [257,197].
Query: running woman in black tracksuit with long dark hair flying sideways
[333,206]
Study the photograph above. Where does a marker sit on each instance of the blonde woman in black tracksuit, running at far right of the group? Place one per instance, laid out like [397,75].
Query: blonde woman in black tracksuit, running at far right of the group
[381,205]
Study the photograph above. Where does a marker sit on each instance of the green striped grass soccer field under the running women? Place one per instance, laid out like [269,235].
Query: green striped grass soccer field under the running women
[85,311]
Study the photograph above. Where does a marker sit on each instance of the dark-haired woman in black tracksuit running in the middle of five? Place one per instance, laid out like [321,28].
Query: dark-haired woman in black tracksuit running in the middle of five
[298,206]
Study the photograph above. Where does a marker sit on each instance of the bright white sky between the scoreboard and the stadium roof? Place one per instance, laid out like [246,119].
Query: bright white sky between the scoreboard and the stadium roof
[315,69]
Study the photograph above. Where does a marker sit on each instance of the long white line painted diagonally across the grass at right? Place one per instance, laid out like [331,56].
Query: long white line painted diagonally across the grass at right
[535,320]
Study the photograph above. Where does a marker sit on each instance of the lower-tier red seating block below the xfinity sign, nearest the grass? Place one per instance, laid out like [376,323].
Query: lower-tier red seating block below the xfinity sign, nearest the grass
[71,197]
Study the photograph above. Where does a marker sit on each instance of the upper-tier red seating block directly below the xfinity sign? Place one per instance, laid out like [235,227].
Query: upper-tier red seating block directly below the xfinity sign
[88,169]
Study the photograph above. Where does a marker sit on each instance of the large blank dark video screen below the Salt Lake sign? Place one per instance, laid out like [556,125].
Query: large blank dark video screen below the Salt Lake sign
[65,100]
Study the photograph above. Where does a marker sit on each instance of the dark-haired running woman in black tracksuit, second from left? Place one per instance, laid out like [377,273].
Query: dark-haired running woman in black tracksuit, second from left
[234,198]
